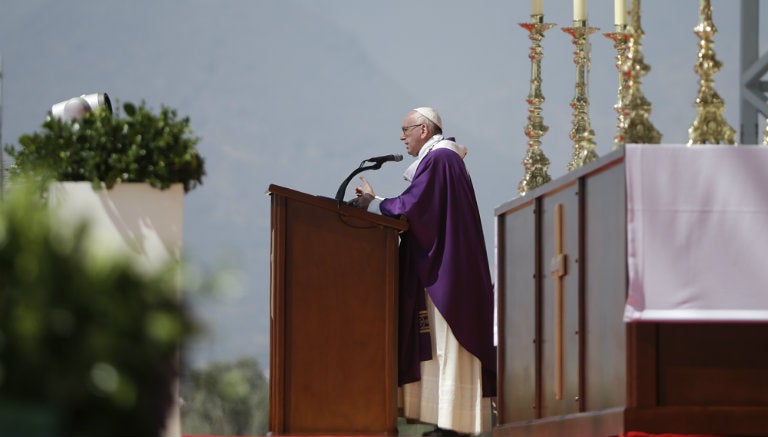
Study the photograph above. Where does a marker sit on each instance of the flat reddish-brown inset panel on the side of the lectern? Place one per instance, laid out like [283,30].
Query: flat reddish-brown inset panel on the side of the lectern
[335,320]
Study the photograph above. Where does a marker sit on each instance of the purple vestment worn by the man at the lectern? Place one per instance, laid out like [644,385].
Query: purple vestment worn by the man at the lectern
[443,251]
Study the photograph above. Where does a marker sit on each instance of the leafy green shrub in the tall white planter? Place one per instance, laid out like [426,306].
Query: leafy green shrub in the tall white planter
[103,148]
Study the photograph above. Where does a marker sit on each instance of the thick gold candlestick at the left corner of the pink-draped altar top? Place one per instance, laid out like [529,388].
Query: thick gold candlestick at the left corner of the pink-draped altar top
[638,128]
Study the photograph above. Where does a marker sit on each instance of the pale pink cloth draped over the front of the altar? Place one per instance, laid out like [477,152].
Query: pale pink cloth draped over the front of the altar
[697,233]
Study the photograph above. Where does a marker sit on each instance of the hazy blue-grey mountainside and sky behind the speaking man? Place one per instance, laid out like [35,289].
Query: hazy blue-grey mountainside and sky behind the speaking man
[298,92]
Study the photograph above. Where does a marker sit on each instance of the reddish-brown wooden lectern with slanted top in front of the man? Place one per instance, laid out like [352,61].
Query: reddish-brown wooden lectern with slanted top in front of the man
[333,338]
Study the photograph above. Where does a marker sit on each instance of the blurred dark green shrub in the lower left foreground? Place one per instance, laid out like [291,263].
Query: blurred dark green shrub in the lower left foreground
[89,338]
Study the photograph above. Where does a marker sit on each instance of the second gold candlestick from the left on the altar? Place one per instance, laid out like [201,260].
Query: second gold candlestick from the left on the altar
[581,134]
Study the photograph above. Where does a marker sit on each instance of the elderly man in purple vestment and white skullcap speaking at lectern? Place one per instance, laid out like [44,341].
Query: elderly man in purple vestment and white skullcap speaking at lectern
[447,360]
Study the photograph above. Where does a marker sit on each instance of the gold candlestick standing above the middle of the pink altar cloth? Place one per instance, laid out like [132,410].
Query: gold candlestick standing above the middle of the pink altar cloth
[709,125]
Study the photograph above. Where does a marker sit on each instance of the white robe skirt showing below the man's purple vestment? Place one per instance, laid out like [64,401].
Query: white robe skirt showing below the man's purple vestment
[450,393]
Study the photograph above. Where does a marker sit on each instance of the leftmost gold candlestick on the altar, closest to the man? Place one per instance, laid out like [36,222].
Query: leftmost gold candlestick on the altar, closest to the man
[535,162]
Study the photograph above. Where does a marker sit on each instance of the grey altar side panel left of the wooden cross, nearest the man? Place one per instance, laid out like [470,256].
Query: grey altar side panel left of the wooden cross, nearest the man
[517,319]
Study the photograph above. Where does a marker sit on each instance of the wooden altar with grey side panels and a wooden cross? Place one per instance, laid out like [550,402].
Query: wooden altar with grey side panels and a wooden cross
[569,365]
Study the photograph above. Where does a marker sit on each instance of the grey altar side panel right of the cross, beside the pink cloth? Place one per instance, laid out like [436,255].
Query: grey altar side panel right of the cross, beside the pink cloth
[605,284]
